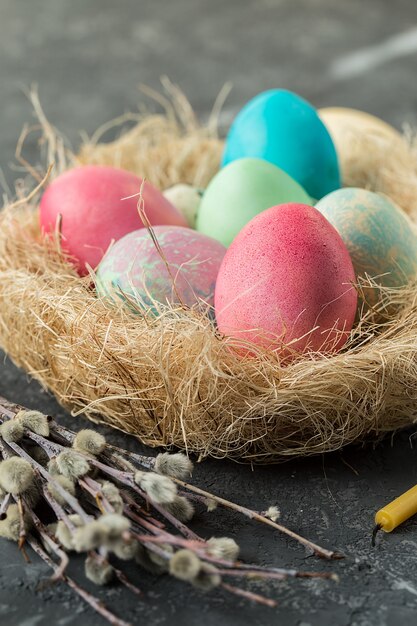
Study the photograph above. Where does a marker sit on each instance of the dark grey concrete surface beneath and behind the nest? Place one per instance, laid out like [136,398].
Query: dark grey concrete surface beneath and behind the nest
[88,58]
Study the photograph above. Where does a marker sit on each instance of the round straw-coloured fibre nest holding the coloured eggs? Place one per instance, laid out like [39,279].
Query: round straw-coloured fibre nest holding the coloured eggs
[173,380]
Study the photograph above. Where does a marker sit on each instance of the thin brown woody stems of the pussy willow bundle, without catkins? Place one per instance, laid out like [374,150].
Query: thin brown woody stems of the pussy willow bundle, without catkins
[151,533]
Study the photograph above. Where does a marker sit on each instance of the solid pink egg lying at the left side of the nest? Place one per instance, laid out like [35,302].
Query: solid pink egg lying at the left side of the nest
[90,201]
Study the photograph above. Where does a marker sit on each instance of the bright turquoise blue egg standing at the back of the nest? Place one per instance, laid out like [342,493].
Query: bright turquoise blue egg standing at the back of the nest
[282,128]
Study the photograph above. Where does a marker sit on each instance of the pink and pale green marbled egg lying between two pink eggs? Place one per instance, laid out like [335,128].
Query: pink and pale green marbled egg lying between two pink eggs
[185,272]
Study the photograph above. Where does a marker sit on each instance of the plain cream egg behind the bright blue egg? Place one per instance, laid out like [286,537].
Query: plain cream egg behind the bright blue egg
[373,155]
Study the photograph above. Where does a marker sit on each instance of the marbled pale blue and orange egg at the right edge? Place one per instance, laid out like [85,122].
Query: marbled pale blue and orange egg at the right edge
[379,236]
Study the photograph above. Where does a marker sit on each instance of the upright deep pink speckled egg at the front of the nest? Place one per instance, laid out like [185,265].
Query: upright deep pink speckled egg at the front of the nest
[286,283]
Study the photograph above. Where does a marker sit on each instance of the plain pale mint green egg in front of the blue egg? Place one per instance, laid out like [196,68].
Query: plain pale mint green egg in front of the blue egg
[241,190]
